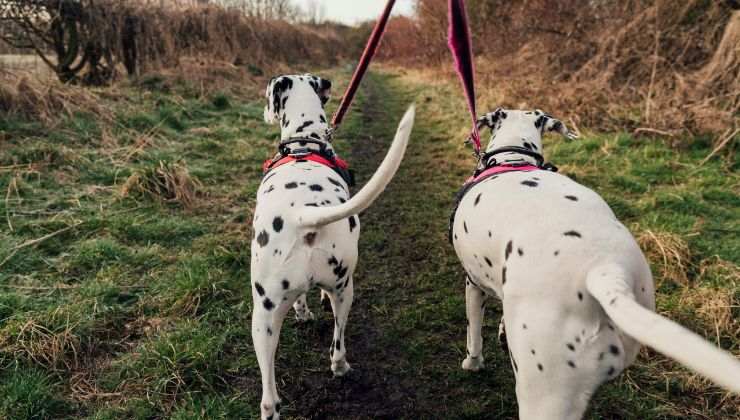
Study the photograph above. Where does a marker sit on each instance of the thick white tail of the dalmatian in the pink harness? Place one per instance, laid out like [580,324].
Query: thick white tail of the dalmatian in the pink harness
[608,285]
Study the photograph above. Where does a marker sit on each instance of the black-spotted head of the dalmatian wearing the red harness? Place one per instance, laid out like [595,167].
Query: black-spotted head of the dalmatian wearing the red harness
[309,90]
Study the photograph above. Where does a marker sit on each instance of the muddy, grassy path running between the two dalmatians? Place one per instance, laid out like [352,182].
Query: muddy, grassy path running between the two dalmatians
[407,325]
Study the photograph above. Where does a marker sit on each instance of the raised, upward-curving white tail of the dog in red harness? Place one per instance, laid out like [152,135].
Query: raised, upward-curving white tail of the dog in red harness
[320,216]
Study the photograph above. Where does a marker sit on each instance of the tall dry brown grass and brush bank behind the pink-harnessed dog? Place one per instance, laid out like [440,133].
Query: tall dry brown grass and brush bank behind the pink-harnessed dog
[650,66]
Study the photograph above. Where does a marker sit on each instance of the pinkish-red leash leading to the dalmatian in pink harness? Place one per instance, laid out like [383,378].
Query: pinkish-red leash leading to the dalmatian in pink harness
[461,46]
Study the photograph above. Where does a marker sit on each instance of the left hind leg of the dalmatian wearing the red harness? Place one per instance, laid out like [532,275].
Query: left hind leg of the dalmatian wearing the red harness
[267,320]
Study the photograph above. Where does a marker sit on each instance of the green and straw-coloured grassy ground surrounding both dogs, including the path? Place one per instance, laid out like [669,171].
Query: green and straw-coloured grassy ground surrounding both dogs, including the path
[124,278]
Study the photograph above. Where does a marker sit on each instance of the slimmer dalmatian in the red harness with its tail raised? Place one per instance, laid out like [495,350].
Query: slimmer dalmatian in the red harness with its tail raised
[306,226]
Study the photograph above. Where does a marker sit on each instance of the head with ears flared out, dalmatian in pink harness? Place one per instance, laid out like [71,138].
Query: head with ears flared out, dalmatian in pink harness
[521,128]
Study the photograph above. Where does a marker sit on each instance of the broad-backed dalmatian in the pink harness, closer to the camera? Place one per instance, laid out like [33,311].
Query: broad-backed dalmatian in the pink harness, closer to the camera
[577,293]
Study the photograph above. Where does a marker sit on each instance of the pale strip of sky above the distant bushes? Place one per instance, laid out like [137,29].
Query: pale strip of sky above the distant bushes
[354,11]
